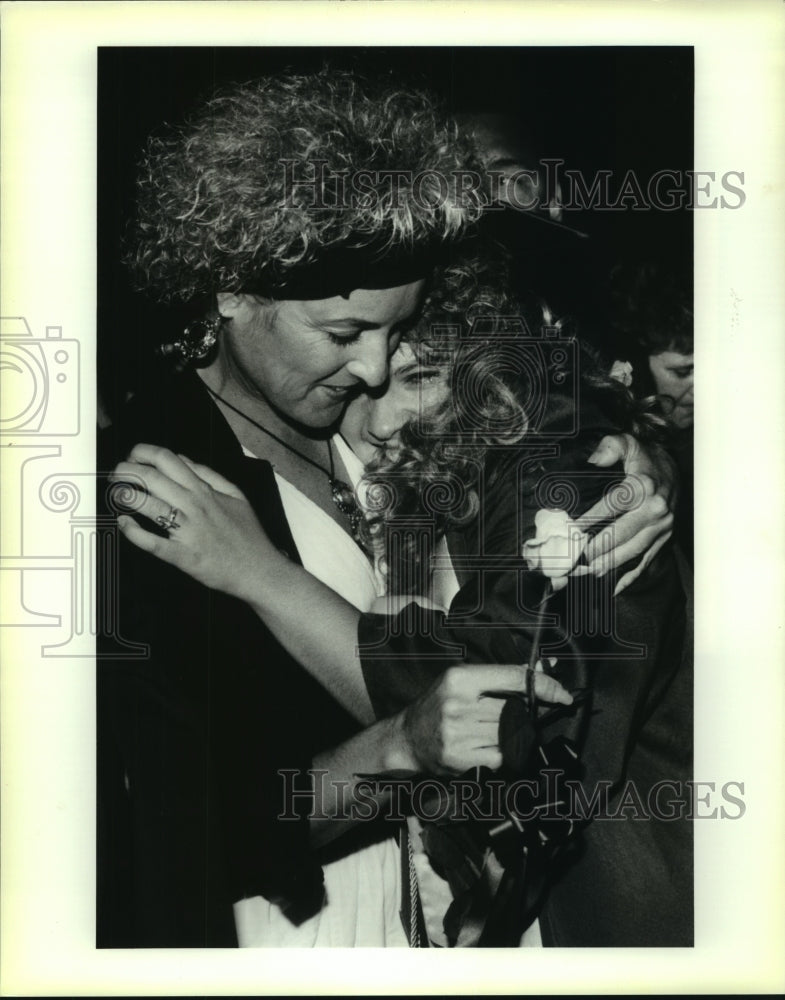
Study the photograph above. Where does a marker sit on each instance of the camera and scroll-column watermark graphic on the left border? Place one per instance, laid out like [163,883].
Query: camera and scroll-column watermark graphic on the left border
[50,534]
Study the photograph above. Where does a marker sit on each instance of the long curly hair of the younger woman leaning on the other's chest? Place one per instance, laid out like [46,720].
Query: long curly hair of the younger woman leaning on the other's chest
[435,466]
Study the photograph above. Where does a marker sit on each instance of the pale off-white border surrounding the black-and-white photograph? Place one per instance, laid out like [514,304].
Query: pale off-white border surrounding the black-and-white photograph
[48,277]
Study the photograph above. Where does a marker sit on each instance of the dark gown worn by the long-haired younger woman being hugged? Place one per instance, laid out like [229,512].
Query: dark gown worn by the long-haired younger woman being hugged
[630,881]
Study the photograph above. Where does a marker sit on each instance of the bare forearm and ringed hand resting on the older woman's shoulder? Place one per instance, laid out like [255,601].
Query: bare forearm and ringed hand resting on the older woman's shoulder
[220,543]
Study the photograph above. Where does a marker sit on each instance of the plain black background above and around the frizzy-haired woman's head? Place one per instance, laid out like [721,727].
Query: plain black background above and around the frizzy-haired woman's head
[596,108]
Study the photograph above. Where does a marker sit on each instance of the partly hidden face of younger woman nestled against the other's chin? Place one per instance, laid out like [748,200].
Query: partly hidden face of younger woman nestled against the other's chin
[372,421]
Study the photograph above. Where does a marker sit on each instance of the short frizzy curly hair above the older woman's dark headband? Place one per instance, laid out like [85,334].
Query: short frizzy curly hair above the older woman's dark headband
[219,203]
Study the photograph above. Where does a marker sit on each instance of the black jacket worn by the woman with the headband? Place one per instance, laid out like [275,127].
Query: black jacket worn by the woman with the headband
[194,735]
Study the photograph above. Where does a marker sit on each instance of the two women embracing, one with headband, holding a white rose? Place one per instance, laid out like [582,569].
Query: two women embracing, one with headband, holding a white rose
[378,520]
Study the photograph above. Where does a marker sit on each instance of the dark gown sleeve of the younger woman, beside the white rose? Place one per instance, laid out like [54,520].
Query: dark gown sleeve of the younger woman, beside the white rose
[499,611]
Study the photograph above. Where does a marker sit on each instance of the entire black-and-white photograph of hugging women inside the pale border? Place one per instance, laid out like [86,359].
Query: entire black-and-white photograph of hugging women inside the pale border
[454,332]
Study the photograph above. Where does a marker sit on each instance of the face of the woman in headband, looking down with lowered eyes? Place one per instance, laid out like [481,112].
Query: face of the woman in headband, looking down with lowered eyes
[305,359]
